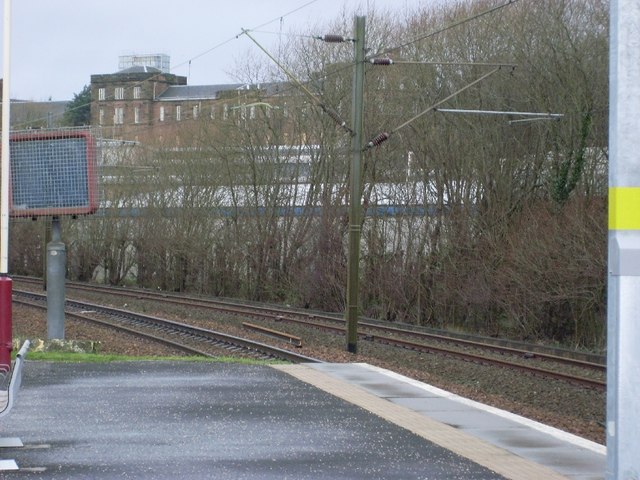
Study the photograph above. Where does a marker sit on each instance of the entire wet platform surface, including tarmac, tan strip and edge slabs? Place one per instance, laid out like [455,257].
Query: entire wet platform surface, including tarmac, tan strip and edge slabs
[157,420]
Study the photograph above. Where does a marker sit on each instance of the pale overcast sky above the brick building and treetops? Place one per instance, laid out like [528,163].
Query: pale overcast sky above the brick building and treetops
[56,45]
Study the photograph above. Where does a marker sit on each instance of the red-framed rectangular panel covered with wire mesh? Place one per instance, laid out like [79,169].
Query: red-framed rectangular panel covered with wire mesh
[53,172]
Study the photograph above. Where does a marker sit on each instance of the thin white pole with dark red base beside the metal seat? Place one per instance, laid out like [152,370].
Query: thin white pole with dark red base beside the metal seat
[6,285]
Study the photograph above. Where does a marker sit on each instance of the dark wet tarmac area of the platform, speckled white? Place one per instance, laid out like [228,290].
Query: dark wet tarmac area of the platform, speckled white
[157,420]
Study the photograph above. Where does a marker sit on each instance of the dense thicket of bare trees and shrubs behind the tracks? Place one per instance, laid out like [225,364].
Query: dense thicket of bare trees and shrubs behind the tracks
[470,221]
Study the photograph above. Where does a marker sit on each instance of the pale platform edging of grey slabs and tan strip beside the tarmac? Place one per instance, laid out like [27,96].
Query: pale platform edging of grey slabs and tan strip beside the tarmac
[509,444]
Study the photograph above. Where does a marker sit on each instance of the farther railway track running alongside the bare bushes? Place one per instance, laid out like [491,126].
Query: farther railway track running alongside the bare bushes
[512,356]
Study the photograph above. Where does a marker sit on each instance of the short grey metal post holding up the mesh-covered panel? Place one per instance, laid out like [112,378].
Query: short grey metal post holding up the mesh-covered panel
[56,269]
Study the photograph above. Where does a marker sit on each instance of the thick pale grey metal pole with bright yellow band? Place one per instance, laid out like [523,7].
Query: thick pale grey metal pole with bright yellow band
[623,332]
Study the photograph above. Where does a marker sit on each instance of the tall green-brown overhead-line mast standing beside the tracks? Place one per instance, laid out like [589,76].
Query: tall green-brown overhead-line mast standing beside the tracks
[355,210]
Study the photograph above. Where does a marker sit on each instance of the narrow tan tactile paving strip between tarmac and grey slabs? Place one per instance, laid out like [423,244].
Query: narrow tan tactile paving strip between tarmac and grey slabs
[483,453]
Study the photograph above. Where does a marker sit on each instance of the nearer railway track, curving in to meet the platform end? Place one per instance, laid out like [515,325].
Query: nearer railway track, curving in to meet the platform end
[187,338]
